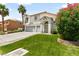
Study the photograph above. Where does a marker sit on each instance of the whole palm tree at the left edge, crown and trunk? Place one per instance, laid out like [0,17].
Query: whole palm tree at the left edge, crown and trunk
[3,12]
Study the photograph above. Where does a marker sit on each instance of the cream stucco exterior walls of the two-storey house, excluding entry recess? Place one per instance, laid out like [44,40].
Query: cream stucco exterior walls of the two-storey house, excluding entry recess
[39,28]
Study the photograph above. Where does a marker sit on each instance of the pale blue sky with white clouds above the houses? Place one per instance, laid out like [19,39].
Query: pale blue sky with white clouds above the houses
[32,9]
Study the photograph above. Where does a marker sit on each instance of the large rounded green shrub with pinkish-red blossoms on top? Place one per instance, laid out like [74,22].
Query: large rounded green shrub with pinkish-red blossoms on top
[68,22]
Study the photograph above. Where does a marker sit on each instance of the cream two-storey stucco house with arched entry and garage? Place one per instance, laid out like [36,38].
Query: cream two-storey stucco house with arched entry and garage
[43,22]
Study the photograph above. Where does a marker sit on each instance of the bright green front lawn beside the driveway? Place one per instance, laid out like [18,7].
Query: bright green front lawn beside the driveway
[42,45]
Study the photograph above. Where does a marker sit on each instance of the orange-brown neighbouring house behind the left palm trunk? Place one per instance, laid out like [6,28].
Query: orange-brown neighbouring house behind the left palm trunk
[11,25]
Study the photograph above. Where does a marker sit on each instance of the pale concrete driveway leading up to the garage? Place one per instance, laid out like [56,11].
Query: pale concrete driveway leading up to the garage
[11,38]
